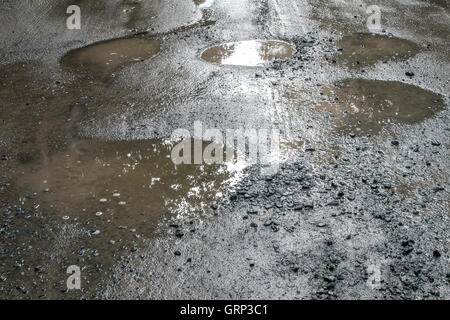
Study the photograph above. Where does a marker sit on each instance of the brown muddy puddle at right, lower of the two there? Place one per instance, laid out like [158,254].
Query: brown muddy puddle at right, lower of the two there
[365,107]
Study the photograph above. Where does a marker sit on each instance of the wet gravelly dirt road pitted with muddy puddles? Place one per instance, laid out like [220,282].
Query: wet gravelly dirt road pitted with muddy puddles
[358,207]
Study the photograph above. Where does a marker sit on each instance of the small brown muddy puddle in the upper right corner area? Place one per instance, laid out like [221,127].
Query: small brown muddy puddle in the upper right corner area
[363,50]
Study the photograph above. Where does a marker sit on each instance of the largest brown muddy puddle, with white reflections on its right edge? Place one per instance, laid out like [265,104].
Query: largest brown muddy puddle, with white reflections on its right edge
[123,183]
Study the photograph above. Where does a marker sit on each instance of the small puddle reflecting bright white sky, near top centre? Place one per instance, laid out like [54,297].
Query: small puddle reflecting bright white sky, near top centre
[248,53]
